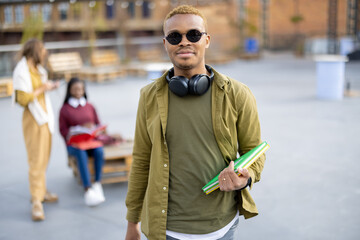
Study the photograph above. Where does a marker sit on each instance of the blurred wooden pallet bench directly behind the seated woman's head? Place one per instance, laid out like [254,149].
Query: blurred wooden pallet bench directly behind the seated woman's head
[65,65]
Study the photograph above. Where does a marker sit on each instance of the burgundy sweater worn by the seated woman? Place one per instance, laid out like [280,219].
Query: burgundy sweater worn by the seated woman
[70,116]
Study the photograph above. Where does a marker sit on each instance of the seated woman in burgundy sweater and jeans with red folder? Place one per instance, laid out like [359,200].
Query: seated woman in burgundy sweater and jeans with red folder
[76,113]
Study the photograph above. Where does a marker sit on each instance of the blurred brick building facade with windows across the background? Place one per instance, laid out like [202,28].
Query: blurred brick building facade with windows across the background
[133,25]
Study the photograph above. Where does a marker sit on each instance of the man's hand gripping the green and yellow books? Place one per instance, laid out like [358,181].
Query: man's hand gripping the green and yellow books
[230,181]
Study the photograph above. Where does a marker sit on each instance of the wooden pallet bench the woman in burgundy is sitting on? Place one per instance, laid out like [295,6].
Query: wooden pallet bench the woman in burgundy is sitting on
[118,159]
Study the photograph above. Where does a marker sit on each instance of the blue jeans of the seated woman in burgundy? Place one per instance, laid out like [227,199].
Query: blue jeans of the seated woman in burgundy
[82,163]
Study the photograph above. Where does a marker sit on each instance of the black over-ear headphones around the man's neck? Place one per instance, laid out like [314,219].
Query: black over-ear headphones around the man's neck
[196,85]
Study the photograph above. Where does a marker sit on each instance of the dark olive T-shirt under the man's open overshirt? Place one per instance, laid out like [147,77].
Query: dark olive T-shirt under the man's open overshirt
[195,158]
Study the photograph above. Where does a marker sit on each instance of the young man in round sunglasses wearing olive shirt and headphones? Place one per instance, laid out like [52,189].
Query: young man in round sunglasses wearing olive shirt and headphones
[190,125]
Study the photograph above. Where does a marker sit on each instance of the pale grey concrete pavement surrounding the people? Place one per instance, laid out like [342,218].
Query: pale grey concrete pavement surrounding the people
[310,187]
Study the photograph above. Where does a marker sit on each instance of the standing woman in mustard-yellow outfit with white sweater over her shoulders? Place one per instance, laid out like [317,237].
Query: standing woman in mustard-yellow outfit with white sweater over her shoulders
[31,88]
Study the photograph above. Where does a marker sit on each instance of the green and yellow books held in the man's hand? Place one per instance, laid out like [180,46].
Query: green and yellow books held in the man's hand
[244,161]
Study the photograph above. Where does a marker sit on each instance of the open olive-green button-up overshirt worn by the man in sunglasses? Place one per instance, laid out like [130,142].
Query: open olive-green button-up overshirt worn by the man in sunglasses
[236,128]
